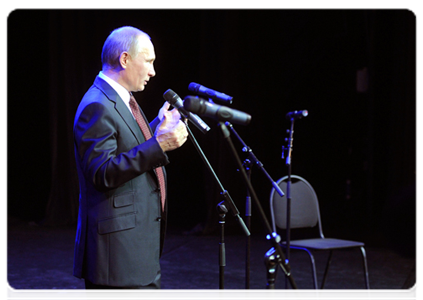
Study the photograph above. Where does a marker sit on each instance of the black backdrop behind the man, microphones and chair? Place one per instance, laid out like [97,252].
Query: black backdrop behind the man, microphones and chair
[359,150]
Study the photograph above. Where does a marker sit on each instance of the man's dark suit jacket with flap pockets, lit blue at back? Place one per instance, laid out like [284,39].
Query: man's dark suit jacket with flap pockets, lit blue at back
[118,241]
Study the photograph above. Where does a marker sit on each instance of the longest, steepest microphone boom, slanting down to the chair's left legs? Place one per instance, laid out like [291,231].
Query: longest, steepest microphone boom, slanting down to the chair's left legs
[279,257]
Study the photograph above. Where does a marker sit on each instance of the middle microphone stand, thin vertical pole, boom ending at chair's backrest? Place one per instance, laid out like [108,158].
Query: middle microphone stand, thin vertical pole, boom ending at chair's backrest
[247,164]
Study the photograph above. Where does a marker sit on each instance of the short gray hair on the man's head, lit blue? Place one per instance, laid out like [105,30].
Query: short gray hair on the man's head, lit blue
[120,40]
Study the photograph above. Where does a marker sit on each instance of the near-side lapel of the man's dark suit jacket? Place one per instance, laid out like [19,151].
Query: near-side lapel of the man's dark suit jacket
[121,108]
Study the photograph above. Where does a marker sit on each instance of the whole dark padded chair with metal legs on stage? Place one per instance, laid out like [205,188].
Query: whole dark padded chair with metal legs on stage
[305,213]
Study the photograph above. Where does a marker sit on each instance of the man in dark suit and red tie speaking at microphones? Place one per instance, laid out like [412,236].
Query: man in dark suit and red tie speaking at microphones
[122,210]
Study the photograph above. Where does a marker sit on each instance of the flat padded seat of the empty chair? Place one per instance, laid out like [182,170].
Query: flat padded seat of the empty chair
[324,244]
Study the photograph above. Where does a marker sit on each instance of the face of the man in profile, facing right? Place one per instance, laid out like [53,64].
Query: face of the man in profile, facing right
[140,68]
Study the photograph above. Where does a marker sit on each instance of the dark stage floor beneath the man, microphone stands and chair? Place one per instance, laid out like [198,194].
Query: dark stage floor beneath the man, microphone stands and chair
[39,266]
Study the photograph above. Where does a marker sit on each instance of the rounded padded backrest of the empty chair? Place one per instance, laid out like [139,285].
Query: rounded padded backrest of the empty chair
[304,205]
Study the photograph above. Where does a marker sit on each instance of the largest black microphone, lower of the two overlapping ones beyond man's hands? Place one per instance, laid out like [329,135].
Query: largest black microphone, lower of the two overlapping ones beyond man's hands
[217,112]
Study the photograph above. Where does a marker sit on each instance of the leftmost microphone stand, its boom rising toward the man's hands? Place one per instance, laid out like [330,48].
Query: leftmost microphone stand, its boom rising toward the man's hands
[223,207]
